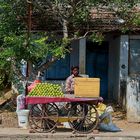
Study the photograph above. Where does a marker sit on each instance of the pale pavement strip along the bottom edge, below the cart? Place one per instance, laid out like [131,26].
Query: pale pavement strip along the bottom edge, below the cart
[23,134]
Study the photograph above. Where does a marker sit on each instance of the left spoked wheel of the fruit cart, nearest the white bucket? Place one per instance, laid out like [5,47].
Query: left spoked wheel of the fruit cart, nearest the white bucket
[43,117]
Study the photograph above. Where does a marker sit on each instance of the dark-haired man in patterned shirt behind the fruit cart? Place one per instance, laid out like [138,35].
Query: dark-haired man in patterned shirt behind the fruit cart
[69,87]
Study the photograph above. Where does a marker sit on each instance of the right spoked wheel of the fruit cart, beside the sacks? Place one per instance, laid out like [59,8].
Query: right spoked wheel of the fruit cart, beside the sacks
[83,118]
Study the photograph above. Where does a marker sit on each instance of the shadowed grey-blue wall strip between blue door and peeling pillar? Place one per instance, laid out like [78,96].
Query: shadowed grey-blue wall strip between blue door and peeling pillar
[113,72]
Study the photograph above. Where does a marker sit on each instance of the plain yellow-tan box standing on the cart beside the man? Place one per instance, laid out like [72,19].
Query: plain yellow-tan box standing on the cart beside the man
[87,87]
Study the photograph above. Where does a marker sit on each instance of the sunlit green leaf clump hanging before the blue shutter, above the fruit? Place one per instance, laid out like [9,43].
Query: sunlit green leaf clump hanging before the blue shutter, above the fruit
[43,46]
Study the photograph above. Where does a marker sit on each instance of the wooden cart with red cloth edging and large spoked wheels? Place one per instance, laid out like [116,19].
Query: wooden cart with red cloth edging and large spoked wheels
[46,113]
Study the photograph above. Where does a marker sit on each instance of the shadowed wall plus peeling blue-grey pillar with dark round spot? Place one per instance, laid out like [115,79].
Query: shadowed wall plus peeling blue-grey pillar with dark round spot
[118,68]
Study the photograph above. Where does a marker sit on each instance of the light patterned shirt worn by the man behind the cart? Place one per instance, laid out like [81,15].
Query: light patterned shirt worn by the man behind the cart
[70,84]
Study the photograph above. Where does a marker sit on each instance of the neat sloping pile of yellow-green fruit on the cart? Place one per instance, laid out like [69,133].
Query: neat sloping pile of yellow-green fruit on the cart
[47,89]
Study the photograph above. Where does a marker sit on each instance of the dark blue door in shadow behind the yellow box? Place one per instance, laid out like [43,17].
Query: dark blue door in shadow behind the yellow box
[97,65]
